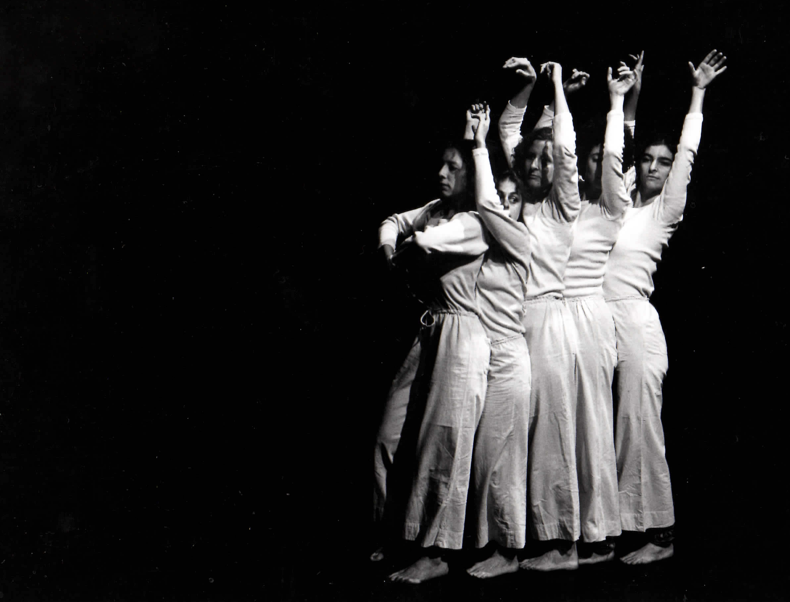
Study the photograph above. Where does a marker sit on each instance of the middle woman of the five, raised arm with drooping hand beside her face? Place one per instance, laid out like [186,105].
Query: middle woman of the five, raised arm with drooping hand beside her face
[546,163]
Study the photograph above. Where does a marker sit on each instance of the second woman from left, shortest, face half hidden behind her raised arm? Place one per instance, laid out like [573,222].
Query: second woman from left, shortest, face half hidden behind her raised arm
[498,503]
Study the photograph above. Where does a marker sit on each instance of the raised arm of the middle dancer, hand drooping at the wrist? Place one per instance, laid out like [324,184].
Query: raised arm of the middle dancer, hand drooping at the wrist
[564,195]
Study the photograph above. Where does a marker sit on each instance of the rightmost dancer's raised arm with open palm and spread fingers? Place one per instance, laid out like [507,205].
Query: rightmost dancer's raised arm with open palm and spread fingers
[672,201]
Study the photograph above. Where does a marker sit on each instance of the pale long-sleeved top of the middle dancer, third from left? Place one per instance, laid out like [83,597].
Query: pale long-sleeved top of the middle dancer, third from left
[550,221]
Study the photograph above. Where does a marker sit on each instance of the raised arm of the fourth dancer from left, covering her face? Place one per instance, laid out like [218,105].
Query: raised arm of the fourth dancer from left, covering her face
[614,196]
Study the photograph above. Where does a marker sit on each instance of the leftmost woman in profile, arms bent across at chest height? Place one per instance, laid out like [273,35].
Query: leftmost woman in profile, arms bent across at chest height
[446,401]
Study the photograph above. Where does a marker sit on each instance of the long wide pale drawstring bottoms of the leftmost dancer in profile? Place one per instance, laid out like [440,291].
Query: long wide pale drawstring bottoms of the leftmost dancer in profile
[440,428]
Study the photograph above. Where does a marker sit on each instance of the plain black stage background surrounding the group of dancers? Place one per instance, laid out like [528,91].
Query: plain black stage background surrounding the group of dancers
[197,334]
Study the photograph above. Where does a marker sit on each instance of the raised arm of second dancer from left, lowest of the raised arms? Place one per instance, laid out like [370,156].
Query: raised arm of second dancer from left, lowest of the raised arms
[511,235]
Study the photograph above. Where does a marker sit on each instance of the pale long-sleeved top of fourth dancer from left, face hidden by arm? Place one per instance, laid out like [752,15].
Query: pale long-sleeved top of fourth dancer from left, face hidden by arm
[596,230]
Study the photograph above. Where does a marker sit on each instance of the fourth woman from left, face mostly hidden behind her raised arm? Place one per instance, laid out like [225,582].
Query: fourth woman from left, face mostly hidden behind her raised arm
[594,234]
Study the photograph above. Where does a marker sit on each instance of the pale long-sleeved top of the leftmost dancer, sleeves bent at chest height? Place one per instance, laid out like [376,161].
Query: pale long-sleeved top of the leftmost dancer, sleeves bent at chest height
[454,246]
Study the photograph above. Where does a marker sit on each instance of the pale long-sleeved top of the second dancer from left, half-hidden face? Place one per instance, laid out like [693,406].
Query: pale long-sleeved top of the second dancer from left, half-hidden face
[502,283]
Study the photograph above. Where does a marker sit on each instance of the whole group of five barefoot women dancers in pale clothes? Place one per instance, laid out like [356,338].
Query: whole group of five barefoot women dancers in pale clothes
[530,401]
